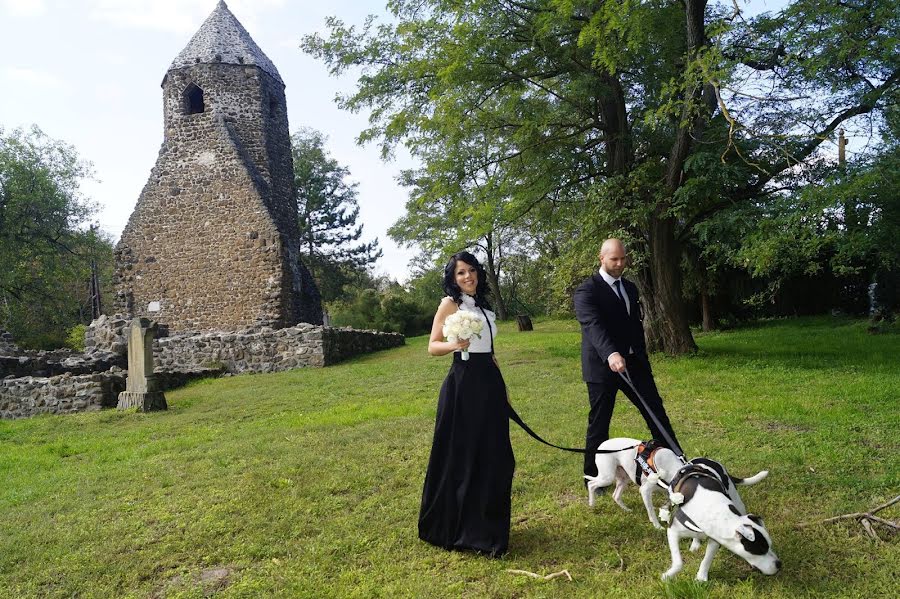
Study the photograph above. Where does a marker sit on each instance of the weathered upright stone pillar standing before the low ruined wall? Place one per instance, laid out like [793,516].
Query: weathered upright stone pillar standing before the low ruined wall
[141,389]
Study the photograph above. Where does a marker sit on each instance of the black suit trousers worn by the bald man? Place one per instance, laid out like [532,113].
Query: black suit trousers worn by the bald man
[602,397]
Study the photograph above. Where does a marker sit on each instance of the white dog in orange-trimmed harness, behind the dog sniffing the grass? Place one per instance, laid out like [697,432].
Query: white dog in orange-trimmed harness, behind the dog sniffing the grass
[620,467]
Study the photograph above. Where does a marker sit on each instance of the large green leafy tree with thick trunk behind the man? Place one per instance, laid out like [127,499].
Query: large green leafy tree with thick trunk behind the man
[652,115]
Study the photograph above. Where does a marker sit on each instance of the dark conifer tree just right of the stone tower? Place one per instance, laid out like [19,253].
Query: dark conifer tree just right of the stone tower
[327,214]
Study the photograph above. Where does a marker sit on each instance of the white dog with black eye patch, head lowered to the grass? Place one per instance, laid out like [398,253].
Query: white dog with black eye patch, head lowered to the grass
[704,510]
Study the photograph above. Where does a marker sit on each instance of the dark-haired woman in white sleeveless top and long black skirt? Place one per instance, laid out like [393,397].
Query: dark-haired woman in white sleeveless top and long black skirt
[466,497]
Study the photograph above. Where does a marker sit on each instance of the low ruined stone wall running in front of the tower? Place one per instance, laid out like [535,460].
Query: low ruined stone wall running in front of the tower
[178,359]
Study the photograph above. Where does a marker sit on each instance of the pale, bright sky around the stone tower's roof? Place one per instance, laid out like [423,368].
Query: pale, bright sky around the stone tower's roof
[88,72]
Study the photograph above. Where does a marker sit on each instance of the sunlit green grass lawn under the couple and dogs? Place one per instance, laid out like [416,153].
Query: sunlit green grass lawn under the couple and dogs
[307,483]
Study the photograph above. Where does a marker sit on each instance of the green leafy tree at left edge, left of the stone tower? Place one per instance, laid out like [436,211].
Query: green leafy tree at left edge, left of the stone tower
[45,248]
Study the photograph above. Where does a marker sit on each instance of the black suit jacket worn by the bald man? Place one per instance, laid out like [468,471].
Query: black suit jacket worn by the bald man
[606,326]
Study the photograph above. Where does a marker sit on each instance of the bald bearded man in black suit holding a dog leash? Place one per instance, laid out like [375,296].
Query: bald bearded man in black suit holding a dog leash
[612,339]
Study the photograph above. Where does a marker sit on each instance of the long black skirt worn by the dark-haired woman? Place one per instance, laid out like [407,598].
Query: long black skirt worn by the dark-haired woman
[466,499]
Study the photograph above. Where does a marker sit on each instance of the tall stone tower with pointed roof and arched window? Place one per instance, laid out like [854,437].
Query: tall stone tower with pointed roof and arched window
[213,240]
